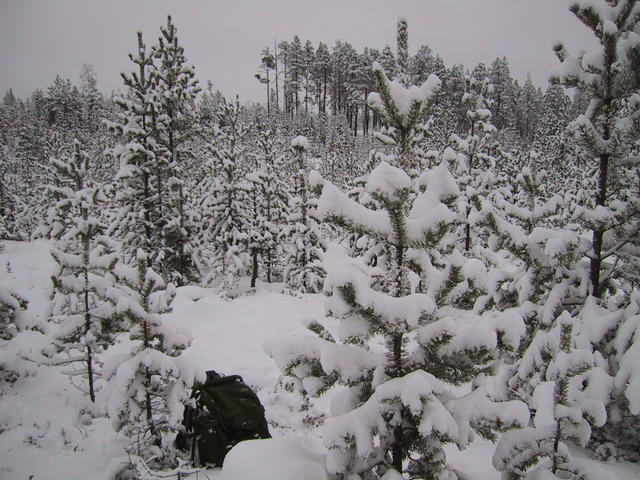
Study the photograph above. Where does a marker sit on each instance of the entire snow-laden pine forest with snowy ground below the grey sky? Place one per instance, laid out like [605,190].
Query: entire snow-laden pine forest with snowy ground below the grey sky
[458,251]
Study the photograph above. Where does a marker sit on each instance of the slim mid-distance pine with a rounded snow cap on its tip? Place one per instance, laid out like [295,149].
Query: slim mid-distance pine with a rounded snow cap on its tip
[303,270]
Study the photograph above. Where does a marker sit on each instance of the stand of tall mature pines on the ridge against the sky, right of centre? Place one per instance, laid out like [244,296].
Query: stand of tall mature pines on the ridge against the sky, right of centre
[300,77]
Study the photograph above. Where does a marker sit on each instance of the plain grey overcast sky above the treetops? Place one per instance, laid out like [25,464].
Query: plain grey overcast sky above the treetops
[223,39]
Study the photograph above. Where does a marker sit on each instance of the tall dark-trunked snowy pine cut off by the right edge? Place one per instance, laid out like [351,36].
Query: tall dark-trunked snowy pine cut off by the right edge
[609,127]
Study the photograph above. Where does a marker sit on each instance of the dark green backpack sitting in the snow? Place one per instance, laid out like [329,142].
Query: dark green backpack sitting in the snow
[226,412]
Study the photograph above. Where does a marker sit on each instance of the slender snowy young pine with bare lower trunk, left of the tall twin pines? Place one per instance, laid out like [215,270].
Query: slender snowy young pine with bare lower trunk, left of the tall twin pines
[84,284]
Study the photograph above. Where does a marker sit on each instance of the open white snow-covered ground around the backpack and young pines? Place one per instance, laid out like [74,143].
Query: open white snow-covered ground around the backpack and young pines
[46,425]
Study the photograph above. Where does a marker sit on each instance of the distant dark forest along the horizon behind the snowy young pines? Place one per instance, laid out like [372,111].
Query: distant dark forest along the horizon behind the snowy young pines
[318,91]
